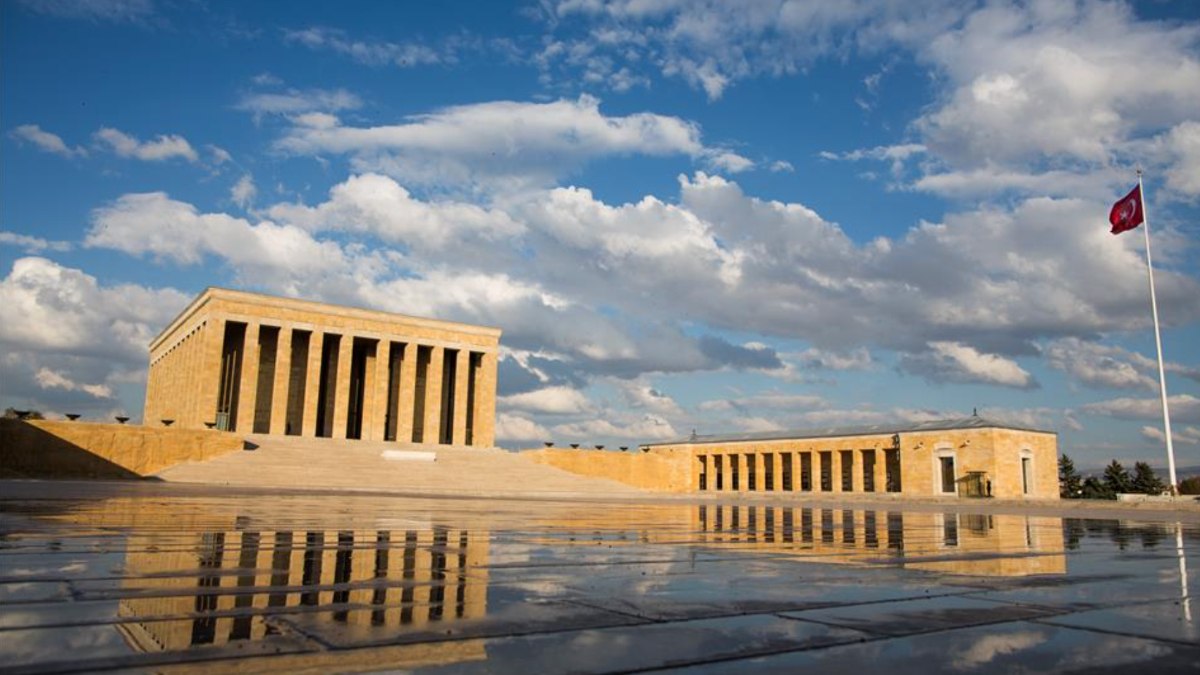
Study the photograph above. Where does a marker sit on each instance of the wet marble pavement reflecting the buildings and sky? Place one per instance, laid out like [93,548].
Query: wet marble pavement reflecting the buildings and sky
[118,577]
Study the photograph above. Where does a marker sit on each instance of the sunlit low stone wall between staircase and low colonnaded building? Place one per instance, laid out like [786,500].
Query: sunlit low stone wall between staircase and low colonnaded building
[665,471]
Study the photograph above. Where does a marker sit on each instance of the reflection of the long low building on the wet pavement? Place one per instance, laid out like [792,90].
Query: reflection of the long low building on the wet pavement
[977,545]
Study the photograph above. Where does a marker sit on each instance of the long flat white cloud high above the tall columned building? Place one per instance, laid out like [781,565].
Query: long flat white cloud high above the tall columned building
[499,144]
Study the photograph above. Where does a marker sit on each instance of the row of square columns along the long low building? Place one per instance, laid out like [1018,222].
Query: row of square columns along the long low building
[800,471]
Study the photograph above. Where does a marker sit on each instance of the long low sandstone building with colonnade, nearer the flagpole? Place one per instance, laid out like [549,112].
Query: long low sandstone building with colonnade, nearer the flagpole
[969,458]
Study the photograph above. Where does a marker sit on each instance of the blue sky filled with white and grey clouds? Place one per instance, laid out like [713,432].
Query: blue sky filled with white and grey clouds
[701,216]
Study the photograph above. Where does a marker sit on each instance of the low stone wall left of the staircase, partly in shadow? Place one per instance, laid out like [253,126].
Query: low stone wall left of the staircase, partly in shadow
[80,450]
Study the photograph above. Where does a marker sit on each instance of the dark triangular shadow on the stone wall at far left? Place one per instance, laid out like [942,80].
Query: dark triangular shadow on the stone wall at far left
[29,452]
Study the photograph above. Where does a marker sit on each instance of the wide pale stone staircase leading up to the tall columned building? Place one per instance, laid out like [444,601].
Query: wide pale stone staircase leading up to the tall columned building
[296,463]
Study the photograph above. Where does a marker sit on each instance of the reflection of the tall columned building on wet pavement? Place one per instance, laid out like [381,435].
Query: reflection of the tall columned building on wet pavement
[219,588]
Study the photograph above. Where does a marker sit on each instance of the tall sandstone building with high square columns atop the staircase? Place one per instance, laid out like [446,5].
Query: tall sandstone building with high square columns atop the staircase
[261,365]
